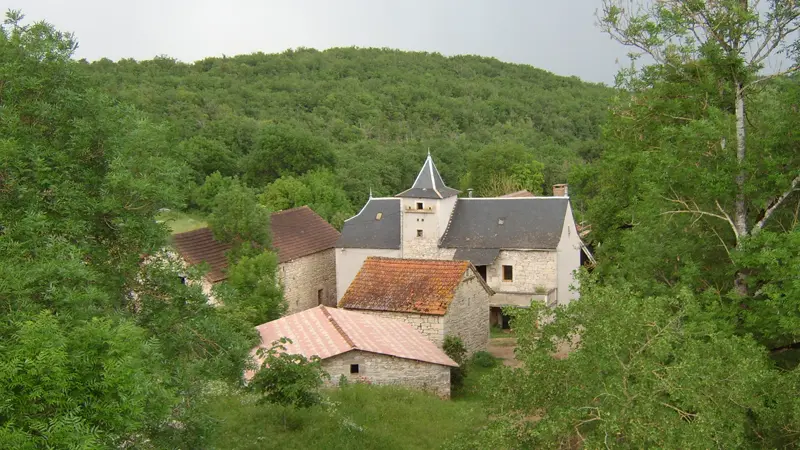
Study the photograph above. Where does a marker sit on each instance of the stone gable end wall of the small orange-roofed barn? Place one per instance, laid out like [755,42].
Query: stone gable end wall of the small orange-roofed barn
[468,314]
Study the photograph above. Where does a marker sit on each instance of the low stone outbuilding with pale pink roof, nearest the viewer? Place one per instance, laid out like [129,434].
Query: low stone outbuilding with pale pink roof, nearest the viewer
[361,347]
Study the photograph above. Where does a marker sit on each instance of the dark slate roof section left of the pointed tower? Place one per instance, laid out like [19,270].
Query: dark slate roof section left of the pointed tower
[366,230]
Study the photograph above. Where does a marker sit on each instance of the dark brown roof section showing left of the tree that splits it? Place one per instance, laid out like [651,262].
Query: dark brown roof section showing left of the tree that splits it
[199,246]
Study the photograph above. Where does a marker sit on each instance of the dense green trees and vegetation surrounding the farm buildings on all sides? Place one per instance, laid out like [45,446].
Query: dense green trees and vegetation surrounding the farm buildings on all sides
[687,332]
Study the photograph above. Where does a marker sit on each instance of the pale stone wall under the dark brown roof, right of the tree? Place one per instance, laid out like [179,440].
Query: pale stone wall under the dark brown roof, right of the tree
[303,278]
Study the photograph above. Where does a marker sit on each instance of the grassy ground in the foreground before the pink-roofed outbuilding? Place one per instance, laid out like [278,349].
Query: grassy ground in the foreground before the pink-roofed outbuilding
[358,416]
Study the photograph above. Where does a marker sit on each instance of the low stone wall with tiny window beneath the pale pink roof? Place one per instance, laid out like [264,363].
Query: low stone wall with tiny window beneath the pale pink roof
[384,369]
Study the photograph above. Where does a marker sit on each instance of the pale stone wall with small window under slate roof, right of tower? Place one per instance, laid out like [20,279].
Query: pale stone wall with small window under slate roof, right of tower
[532,270]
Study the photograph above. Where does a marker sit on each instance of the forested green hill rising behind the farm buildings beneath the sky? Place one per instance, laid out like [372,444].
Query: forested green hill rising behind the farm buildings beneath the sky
[366,115]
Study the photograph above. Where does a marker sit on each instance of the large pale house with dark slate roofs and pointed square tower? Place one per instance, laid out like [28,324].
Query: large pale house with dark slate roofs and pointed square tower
[525,247]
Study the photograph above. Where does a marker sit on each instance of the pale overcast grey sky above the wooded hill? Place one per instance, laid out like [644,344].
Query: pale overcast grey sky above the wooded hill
[555,35]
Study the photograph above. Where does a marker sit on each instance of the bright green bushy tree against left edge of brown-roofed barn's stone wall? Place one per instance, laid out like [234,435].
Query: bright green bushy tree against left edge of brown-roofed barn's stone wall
[251,291]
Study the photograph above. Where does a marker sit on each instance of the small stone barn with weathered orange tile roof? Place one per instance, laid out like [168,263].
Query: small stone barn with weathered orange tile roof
[438,298]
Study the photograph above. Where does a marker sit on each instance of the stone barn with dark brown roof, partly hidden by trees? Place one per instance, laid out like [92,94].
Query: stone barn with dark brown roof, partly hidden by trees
[304,242]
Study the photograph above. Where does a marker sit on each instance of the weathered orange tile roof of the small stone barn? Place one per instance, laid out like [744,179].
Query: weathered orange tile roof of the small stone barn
[405,285]
